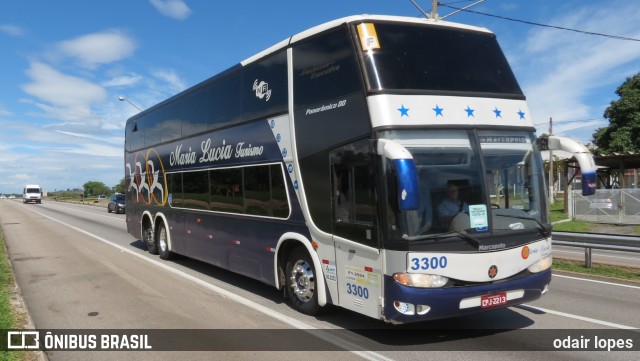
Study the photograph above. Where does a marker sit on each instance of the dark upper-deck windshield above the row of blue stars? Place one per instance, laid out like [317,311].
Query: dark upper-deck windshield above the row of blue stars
[437,60]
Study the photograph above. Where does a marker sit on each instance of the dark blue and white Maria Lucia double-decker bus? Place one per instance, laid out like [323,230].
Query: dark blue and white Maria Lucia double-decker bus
[387,165]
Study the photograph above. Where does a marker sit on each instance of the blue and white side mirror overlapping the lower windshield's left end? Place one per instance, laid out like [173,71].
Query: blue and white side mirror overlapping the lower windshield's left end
[407,176]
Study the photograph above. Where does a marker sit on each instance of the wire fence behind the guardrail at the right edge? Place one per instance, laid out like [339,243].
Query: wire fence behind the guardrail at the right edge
[615,206]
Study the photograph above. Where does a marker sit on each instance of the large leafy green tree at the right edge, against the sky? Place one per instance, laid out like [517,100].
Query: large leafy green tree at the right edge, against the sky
[623,114]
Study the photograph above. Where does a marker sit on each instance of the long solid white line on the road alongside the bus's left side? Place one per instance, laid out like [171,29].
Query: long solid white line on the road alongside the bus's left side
[348,346]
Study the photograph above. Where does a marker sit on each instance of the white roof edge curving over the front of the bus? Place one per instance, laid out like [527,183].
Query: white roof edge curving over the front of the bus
[351,19]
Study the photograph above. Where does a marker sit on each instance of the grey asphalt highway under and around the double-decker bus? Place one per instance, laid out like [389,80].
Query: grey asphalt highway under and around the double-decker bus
[78,269]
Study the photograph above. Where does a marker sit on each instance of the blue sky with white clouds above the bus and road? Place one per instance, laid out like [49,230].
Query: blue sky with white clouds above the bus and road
[65,63]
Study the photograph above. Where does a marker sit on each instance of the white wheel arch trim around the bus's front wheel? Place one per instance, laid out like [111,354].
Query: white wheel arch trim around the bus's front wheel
[286,244]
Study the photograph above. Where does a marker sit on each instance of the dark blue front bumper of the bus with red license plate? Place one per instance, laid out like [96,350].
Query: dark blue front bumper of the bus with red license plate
[404,304]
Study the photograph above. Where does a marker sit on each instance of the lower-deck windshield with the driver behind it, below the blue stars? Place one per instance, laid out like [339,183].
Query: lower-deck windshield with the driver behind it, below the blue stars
[472,182]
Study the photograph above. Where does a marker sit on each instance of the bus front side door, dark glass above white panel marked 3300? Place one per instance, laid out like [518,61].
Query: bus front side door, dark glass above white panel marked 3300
[358,258]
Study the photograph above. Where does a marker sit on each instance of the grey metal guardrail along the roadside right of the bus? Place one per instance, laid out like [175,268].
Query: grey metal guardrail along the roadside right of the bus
[591,241]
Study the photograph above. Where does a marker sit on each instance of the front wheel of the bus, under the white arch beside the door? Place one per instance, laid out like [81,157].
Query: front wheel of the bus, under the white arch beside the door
[300,276]
